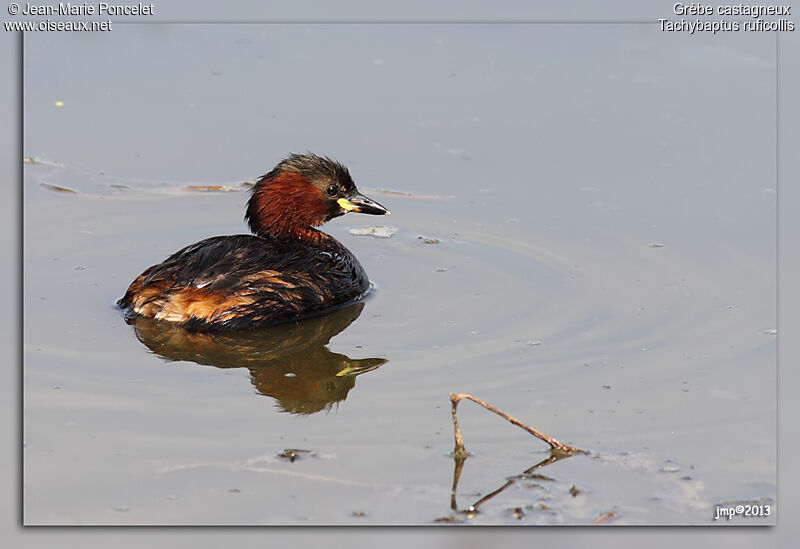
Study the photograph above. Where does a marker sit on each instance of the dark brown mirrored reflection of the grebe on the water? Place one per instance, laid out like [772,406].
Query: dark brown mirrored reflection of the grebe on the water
[288,362]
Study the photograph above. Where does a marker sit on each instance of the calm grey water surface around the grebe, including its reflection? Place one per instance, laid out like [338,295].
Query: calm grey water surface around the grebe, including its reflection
[585,226]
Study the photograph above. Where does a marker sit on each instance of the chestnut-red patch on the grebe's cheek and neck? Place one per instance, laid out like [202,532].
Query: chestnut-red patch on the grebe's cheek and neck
[286,205]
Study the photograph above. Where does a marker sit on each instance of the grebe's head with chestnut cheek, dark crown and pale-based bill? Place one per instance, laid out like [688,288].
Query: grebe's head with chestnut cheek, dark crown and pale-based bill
[303,191]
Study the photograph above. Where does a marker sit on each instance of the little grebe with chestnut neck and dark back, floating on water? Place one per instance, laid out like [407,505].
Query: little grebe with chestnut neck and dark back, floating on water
[286,271]
